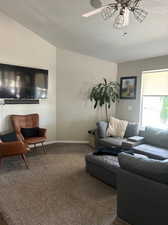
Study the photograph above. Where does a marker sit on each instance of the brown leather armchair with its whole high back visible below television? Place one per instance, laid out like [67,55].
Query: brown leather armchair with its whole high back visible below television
[29,121]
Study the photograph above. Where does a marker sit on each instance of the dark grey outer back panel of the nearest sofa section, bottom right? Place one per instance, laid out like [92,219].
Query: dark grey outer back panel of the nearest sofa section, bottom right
[133,189]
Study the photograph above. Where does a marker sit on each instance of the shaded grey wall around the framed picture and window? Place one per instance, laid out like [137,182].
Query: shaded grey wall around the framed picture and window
[130,109]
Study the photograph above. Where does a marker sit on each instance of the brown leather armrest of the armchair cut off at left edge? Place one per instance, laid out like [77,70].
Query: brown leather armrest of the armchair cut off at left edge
[12,148]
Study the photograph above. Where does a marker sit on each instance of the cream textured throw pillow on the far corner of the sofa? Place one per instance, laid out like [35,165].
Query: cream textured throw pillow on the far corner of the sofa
[117,127]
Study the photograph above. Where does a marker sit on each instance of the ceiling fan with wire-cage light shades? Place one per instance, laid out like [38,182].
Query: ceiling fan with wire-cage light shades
[121,9]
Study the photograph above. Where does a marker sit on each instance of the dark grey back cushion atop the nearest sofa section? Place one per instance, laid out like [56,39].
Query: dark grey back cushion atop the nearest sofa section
[146,167]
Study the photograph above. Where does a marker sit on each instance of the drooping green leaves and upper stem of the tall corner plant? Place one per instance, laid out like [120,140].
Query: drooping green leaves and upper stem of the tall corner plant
[105,94]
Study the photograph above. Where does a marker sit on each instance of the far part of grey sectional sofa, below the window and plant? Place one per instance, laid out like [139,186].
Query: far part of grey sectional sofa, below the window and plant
[154,144]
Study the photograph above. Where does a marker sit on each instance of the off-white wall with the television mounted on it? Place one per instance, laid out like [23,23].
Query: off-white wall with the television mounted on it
[20,46]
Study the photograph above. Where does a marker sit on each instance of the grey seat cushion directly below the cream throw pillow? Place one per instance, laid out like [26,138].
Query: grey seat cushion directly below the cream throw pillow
[111,141]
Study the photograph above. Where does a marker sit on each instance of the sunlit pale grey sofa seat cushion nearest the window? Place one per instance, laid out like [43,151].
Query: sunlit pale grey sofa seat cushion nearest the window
[151,151]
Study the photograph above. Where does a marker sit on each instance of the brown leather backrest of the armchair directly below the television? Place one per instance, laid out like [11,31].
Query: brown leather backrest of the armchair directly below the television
[24,121]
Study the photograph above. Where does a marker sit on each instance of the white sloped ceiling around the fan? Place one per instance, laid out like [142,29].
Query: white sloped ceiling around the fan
[60,23]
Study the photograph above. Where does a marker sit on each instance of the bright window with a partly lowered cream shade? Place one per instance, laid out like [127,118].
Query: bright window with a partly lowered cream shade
[155,99]
